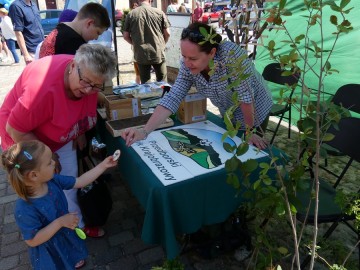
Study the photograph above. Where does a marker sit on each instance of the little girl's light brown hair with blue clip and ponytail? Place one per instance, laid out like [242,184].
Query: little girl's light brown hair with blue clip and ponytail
[18,161]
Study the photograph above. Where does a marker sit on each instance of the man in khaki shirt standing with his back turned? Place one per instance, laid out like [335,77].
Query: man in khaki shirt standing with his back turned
[147,29]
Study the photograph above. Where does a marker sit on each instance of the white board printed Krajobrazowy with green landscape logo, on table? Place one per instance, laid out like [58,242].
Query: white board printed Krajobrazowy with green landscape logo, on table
[179,153]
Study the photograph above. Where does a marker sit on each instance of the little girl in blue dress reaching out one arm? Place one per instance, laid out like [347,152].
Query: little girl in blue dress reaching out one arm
[41,211]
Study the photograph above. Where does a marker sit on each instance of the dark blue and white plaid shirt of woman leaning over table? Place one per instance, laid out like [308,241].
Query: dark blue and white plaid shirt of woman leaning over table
[251,90]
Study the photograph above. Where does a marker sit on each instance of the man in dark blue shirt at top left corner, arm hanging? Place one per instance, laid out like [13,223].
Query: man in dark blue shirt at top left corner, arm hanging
[27,26]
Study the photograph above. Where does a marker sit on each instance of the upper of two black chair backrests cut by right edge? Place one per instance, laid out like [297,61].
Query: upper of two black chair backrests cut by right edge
[348,96]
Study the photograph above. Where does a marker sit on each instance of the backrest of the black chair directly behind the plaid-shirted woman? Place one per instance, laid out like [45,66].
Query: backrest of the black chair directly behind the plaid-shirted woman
[272,73]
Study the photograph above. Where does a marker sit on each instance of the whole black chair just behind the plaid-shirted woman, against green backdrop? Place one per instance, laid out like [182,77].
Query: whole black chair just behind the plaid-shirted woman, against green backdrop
[273,73]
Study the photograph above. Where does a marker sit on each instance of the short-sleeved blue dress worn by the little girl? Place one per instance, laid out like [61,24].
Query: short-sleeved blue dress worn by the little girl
[65,248]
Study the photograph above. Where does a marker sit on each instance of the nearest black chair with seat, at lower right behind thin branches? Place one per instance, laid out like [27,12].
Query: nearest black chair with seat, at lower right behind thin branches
[346,141]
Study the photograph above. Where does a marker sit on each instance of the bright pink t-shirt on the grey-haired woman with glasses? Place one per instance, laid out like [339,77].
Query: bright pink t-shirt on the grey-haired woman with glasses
[38,103]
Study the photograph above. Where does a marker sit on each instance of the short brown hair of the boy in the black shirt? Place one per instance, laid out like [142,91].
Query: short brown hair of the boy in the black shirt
[96,12]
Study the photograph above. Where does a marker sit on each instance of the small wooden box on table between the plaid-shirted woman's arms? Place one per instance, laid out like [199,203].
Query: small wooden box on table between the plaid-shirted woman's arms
[192,109]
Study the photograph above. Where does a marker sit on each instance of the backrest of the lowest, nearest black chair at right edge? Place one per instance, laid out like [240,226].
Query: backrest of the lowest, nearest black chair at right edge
[347,137]
